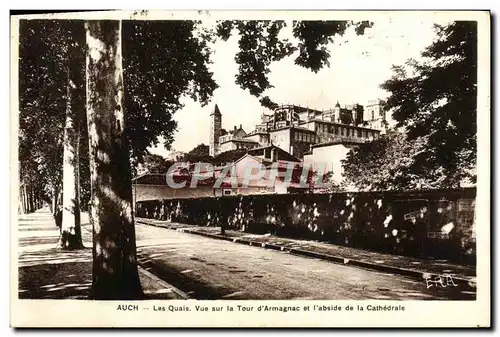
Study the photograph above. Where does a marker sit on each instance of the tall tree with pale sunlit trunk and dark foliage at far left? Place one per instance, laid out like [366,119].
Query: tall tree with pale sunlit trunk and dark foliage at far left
[51,105]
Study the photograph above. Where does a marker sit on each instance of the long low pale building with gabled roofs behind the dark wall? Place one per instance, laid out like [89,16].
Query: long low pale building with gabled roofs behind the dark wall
[232,178]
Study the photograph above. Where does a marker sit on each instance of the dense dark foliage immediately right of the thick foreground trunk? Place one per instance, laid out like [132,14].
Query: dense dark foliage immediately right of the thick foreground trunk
[163,61]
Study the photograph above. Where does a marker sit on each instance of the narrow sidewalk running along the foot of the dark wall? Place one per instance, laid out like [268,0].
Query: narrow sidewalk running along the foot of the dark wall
[419,269]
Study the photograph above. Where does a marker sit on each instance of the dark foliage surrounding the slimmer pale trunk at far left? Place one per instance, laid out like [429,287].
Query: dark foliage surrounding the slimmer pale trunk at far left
[46,58]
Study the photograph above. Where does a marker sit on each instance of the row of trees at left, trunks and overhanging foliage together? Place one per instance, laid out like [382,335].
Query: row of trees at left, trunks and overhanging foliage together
[95,95]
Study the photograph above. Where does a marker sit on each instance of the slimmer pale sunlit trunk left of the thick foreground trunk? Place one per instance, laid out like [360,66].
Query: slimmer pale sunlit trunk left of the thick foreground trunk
[70,237]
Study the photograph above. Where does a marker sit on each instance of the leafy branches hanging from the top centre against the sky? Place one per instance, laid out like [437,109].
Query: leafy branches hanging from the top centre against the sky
[260,44]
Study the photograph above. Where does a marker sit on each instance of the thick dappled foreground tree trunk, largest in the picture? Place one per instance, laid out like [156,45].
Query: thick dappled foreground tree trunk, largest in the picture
[115,273]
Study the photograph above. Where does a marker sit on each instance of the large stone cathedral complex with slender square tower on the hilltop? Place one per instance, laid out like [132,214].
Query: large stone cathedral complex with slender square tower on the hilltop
[296,129]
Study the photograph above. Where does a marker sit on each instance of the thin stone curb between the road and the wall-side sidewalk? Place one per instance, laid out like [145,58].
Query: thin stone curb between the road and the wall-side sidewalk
[415,274]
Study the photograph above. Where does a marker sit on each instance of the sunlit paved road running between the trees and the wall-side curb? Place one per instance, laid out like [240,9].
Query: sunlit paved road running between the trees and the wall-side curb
[216,269]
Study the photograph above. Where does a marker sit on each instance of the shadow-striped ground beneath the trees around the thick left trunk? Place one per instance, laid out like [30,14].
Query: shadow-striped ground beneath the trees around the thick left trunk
[49,273]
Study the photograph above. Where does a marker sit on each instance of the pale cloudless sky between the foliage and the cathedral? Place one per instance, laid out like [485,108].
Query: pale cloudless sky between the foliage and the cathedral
[358,65]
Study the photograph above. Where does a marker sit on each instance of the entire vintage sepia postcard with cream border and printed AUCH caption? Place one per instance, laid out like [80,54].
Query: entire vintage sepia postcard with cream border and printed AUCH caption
[250,169]
